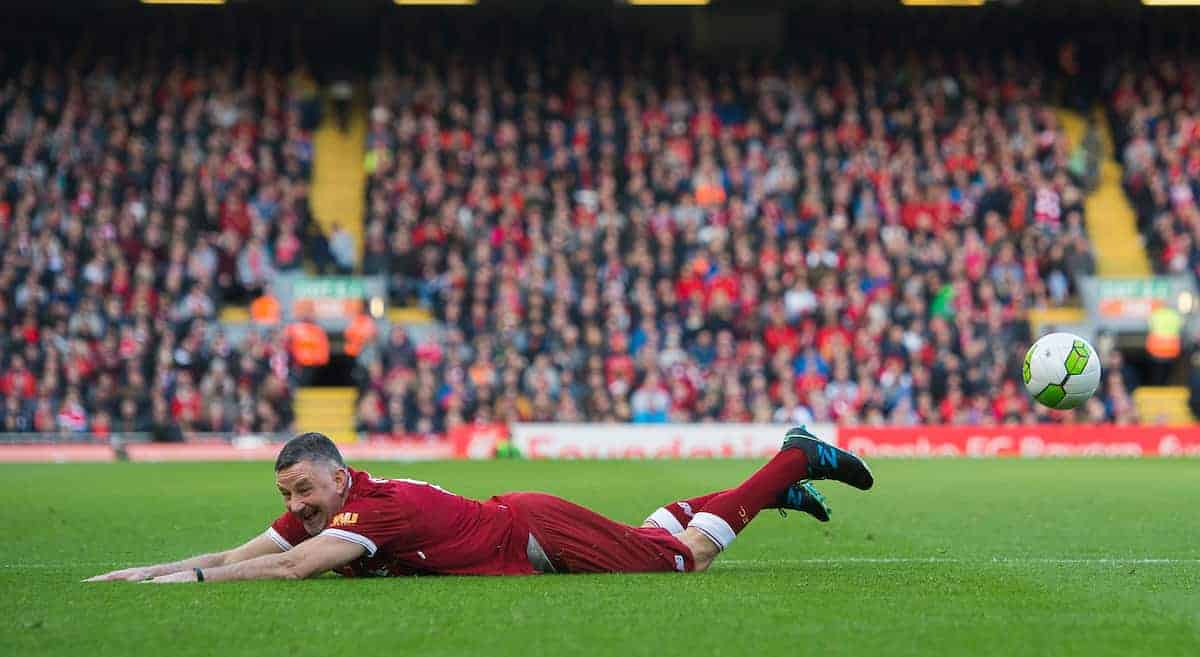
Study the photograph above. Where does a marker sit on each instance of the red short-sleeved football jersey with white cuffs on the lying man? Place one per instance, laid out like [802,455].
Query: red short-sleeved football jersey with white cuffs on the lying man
[416,528]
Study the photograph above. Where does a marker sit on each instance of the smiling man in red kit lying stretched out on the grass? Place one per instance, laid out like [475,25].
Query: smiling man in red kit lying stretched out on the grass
[346,521]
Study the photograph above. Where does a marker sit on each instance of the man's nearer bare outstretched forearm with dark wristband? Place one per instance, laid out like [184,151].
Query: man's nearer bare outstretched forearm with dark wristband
[311,558]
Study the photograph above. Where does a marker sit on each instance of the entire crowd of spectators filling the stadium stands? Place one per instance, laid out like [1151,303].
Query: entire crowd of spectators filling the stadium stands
[644,240]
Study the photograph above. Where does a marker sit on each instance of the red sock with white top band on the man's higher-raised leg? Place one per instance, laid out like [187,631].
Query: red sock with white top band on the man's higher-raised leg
[728,514]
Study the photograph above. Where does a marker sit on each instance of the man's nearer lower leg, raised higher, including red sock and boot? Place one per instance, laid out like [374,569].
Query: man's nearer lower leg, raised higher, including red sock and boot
[803,457]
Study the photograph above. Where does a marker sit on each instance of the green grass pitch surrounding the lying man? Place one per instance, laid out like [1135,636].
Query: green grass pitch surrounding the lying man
[944,558]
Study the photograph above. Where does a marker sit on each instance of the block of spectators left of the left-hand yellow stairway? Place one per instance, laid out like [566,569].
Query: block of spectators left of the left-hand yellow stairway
[136,198]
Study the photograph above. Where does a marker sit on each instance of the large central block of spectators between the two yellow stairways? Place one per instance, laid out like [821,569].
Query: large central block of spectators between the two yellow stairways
[659,242]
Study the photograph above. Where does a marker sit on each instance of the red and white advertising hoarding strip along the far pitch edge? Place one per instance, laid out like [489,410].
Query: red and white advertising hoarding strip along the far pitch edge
[602,442]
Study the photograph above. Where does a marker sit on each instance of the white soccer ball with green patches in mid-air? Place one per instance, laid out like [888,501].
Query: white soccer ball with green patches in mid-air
[1061,371]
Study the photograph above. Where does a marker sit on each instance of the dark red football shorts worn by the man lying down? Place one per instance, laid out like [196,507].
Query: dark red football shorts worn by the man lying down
[579,540]
